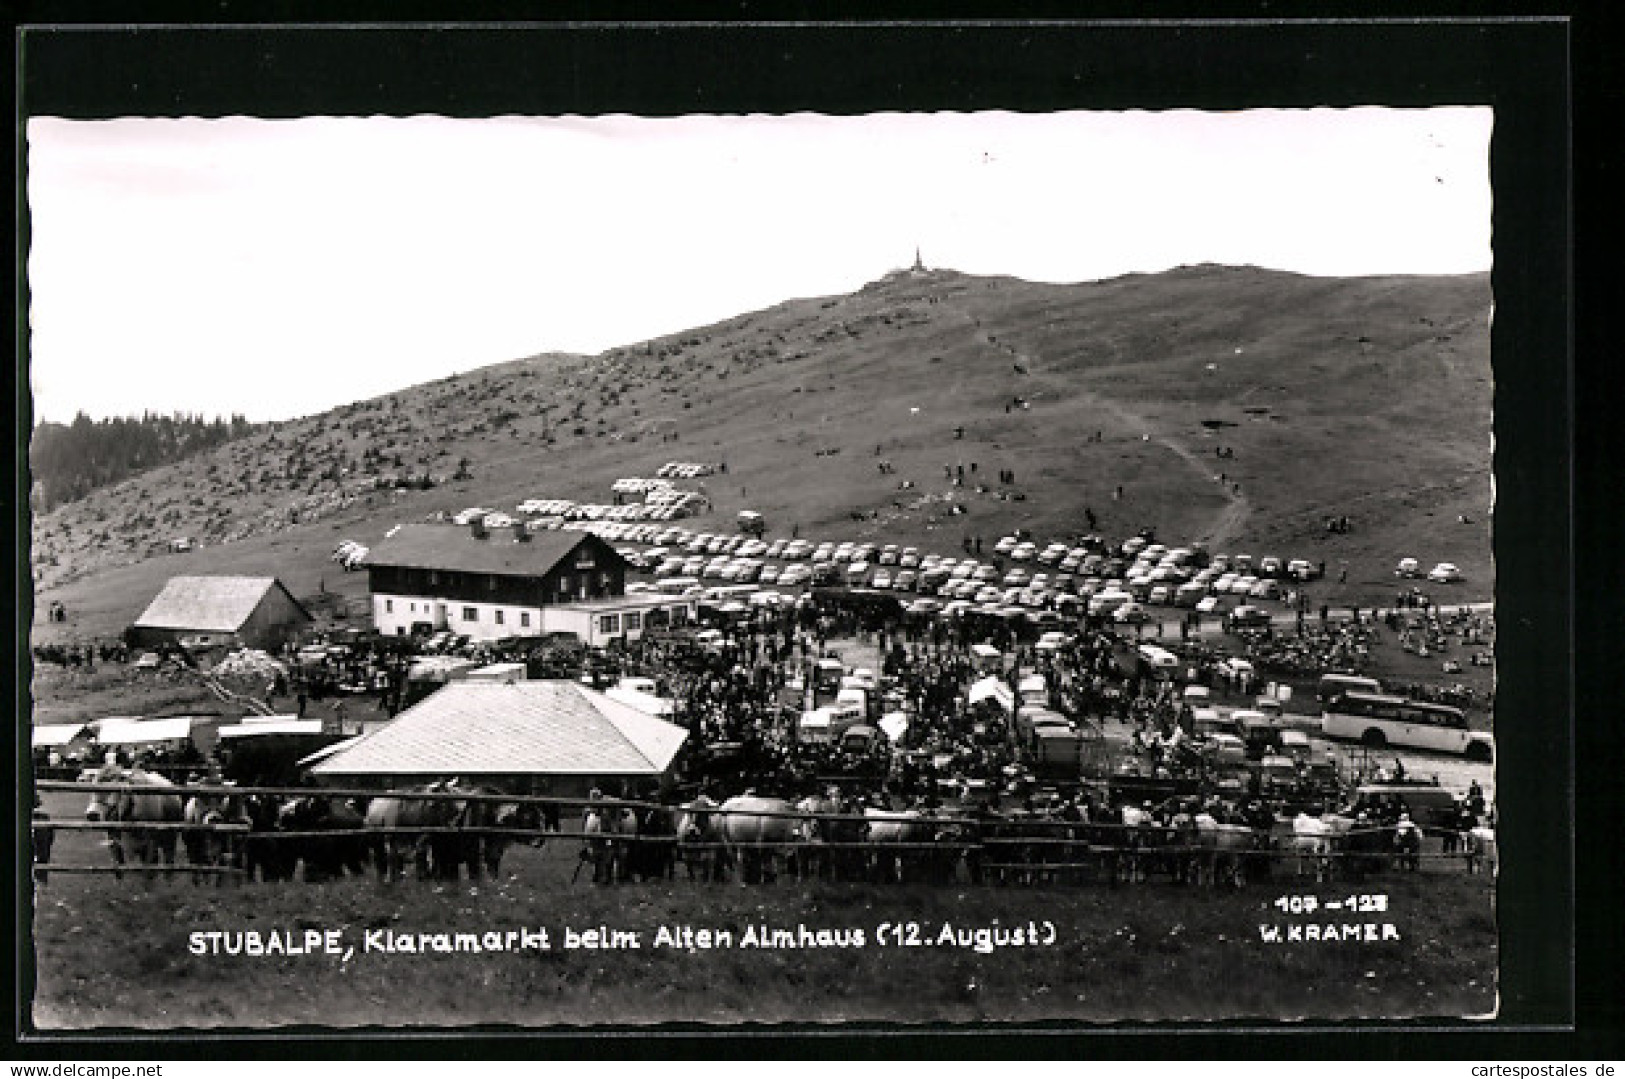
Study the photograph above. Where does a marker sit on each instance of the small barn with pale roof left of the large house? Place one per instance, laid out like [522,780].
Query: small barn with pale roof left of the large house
[236,612]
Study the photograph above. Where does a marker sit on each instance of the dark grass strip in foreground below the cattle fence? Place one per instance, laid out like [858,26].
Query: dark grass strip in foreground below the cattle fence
[116,953]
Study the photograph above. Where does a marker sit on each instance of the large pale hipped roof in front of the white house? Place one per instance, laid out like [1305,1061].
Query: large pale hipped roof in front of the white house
[522,729]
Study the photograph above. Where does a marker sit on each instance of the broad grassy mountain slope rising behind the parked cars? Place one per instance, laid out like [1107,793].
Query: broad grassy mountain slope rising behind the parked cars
[1367,397]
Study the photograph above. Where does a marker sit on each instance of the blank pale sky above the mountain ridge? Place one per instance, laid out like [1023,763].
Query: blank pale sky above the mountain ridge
[284,267]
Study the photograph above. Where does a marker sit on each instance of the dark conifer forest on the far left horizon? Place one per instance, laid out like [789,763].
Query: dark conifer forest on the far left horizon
[71,461]
